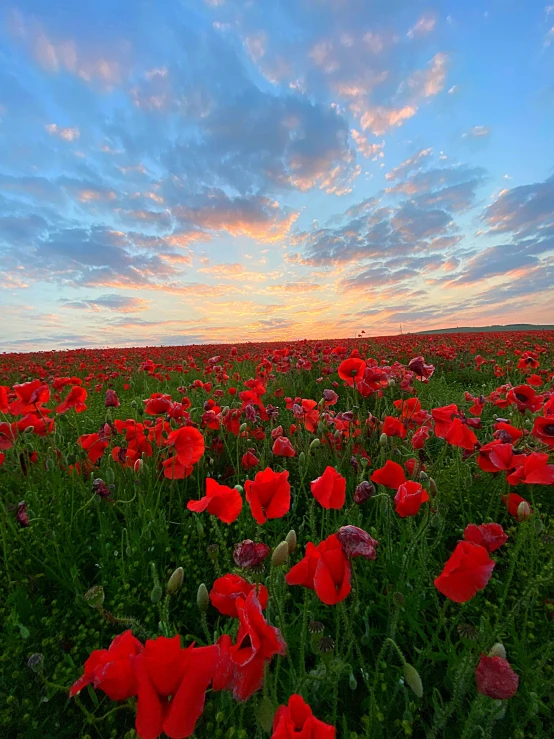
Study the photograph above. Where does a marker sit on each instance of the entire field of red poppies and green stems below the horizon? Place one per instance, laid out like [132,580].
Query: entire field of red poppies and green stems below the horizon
[294,540]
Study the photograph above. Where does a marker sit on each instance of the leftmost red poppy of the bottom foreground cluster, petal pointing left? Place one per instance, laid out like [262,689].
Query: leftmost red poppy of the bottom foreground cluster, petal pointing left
[111,669]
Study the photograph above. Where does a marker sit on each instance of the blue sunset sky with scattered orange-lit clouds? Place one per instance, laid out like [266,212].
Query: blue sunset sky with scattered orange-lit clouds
[192,171]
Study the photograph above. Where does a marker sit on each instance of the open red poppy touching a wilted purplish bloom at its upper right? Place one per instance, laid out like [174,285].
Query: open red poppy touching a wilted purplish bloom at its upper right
[325,569]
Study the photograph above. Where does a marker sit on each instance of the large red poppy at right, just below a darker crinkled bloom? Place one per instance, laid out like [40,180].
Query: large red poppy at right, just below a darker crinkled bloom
[466,572]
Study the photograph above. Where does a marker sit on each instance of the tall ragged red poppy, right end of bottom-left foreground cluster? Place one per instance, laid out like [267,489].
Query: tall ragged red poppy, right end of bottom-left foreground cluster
[241,665]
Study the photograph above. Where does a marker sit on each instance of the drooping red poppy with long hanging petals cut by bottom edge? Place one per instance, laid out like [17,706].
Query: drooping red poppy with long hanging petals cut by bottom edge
[166,671]
